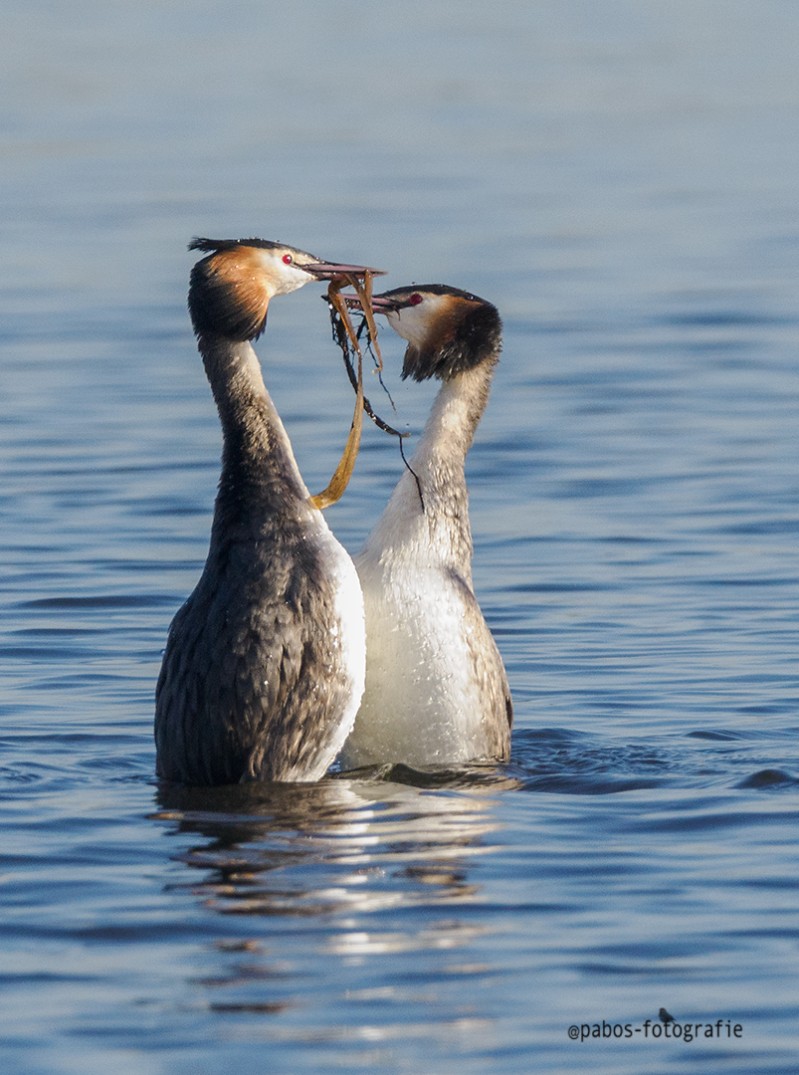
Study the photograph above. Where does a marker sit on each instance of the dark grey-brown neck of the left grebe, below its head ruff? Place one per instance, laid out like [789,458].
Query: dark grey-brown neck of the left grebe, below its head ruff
[260,475]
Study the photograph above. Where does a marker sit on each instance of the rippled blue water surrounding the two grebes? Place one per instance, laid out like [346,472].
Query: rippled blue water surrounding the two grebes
[622,181]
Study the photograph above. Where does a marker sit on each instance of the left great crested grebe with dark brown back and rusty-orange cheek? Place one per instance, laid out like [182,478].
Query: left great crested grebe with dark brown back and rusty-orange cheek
[264,667]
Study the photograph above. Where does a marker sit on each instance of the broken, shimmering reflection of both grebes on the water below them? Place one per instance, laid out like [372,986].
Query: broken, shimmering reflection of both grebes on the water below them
[379,879]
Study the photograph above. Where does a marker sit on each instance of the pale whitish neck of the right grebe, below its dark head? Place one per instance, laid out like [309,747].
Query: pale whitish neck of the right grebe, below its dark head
[441,531]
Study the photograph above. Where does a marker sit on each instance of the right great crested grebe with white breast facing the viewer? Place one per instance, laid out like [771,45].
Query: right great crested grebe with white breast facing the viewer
[436,692]
